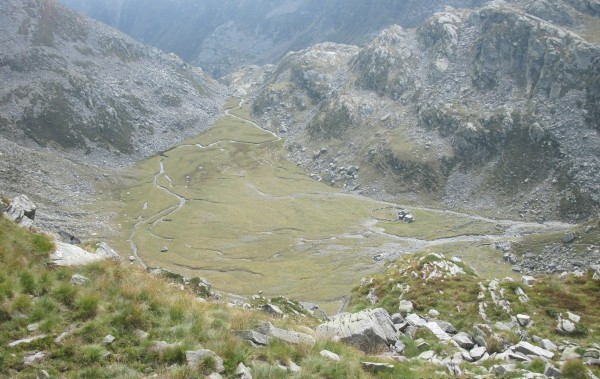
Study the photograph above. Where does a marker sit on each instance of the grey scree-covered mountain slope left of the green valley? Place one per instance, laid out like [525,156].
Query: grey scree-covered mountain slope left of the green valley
[74,90]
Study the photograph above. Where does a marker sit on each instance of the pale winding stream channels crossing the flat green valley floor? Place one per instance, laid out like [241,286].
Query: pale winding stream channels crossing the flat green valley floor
[393,245]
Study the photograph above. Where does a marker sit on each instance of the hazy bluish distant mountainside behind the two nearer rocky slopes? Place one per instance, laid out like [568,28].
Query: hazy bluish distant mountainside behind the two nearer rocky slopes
[220,35]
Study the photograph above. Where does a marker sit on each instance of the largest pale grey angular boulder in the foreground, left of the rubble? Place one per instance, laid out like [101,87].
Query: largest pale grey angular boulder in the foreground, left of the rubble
[370,330]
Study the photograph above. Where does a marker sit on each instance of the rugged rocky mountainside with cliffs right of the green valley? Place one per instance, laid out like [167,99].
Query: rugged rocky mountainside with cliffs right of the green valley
[492,108]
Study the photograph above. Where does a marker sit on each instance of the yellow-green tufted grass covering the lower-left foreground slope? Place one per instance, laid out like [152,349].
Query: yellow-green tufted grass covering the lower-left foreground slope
[122,300]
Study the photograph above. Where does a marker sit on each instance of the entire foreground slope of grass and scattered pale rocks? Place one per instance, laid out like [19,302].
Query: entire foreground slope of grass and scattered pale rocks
[426,316]
